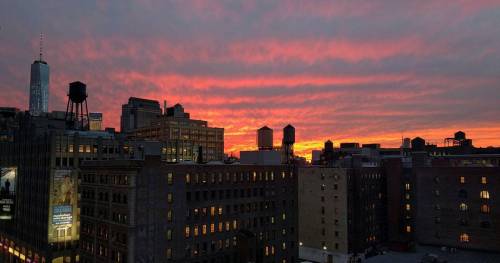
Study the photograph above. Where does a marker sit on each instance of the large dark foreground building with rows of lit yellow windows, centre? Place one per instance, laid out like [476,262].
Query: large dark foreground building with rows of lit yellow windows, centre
[148,211]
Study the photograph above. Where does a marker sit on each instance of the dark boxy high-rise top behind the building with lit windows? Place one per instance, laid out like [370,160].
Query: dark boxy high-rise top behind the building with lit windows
[138,113]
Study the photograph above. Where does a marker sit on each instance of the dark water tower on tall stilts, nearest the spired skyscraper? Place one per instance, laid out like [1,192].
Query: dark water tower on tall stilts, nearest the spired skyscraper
[76,115]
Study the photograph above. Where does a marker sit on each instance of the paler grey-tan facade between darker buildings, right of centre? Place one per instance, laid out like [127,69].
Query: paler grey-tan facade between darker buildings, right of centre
[323,222]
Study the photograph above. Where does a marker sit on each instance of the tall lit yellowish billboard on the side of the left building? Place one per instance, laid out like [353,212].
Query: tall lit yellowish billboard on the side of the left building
[63,206]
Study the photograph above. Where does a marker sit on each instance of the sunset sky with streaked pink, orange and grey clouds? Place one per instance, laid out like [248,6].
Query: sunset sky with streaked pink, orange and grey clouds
[365,71]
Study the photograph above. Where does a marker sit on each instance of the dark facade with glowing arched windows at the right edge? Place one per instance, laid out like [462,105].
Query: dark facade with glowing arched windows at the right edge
[458,207]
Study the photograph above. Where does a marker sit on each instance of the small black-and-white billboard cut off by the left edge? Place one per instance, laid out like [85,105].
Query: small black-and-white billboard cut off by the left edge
[8,179]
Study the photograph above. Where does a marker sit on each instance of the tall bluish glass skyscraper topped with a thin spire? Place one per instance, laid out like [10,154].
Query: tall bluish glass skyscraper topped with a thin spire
[39,86]
